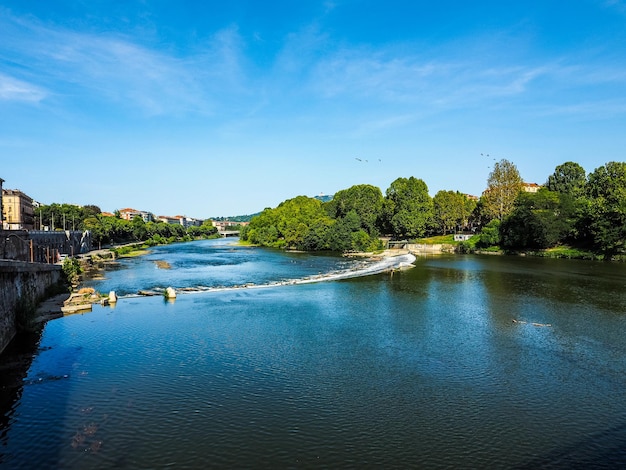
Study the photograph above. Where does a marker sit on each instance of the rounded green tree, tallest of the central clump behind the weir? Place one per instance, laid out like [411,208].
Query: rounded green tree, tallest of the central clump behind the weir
[408,208]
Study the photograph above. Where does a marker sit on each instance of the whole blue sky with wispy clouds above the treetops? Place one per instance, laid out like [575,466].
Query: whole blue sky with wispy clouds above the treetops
[217,108]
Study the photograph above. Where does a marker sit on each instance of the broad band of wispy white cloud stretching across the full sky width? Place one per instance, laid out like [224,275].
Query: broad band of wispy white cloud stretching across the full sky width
[309,71]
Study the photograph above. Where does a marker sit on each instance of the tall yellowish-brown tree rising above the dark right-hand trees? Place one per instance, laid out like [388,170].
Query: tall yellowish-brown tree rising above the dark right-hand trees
[503,186]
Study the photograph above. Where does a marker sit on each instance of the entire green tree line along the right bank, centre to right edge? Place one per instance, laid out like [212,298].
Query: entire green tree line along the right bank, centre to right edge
[571,208]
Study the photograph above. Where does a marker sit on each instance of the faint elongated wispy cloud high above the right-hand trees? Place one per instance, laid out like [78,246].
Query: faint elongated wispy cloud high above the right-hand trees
[416,80]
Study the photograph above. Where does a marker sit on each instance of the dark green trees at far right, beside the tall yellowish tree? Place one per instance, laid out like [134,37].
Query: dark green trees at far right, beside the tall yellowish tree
[586,211]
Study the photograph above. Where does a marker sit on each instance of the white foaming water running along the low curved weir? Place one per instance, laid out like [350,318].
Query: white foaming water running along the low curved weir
[367,268]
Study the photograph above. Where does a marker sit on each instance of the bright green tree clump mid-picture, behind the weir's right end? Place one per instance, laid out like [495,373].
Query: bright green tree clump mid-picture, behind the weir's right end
[355,218]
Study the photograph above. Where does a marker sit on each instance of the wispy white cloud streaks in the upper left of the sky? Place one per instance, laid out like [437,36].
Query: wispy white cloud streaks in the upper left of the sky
[114,68]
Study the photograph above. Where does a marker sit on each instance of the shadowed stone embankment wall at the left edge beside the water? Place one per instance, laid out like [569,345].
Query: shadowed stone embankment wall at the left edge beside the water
[21,284]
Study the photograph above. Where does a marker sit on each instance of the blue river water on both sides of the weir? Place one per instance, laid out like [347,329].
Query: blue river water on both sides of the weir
[459,362]
